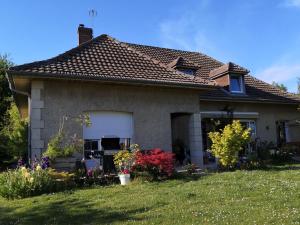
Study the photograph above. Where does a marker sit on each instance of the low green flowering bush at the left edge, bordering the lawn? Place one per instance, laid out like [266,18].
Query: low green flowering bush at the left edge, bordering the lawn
[22,182]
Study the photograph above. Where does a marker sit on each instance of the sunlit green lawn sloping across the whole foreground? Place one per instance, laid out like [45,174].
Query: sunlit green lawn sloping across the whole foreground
[241,197]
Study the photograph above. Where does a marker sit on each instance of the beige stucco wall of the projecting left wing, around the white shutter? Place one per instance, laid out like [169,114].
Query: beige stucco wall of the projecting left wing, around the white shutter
[151,107]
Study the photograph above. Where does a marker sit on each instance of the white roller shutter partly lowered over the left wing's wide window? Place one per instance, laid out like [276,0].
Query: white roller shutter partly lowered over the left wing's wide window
[109,124]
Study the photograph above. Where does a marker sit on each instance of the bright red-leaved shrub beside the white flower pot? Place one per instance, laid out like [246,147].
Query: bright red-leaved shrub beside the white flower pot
[156,162]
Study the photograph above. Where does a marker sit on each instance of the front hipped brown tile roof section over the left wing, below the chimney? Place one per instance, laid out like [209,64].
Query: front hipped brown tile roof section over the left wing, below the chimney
[108,59]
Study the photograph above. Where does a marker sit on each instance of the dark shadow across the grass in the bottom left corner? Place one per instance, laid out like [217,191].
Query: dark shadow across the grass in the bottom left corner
[67,212]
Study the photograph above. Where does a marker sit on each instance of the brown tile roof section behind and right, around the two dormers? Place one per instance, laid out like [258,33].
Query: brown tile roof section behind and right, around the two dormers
[256,90]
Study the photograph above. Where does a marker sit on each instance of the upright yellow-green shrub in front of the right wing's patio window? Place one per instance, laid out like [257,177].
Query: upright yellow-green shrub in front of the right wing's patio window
[228,142]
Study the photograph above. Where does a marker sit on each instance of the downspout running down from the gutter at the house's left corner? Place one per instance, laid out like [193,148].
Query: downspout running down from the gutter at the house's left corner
[11,87]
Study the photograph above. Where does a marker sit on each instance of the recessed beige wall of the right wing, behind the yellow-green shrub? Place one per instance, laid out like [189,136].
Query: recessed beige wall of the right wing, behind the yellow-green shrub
[268,115]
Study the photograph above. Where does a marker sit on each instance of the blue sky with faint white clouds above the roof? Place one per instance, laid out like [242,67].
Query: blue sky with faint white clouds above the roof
[263,36]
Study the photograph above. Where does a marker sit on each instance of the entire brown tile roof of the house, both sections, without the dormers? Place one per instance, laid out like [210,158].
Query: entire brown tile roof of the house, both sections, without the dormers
[105,58]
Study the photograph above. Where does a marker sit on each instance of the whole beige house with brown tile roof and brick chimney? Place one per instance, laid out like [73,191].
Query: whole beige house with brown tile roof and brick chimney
[156,97]
